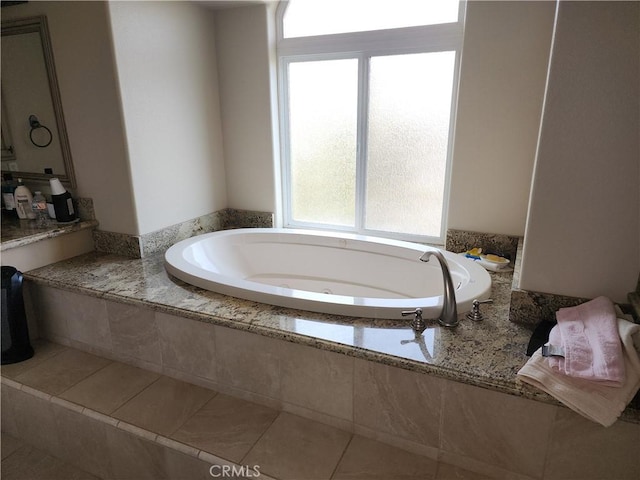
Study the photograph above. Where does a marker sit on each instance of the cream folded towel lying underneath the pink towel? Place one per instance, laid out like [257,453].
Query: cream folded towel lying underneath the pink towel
[595,401]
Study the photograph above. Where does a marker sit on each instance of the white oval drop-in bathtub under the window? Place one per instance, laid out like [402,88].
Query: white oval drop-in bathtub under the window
[339,274]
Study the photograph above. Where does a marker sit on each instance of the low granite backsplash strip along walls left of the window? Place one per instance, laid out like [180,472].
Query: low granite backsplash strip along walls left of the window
[139,246]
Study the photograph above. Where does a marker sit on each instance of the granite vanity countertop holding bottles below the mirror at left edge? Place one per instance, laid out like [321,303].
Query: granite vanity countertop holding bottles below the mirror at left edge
[18,233]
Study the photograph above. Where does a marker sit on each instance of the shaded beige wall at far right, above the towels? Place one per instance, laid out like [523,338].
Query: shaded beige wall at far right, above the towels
[583,227]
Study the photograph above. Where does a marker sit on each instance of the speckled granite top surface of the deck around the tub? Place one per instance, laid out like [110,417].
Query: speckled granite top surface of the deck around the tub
[486,354]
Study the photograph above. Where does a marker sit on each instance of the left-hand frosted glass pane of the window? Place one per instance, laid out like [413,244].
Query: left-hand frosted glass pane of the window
[323,99]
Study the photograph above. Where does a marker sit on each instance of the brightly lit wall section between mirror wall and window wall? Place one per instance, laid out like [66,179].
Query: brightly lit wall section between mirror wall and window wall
[167,76]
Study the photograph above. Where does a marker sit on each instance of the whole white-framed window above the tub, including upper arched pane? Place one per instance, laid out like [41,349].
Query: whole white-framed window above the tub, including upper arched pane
[367,95]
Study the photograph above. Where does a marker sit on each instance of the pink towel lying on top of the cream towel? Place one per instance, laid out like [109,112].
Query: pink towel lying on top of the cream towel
[589,336]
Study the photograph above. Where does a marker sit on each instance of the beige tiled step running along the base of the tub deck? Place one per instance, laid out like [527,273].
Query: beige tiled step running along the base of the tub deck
[118,421]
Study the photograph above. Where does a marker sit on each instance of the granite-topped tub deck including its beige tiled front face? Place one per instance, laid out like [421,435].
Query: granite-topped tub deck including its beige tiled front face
[372,378]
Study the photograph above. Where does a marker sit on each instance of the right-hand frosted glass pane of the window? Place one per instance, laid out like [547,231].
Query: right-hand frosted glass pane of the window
[409,110]
